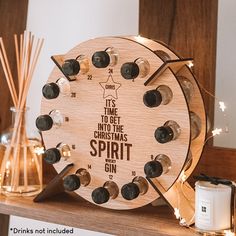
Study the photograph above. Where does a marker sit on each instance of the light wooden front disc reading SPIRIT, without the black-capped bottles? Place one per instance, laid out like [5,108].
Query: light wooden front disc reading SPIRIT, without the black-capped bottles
[111,131]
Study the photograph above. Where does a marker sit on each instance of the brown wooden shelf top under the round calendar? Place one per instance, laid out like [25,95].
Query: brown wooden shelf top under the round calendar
[71,210]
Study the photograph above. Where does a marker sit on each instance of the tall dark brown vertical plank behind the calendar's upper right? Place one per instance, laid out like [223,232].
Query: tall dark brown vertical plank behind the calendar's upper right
[189,27]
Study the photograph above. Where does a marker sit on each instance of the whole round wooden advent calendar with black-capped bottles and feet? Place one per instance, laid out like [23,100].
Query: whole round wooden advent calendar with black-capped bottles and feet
[105,114]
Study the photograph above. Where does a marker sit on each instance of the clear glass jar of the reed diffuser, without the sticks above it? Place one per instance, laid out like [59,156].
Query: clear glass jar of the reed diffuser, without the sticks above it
[21,165]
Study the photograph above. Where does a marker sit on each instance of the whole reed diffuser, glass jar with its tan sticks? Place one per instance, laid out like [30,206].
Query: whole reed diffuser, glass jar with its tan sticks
[21,162]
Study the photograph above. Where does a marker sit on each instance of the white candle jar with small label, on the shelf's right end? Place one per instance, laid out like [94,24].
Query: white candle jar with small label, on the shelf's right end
[212,206]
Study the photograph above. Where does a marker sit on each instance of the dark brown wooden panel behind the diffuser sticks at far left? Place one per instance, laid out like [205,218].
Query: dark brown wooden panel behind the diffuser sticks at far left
[13,21]
